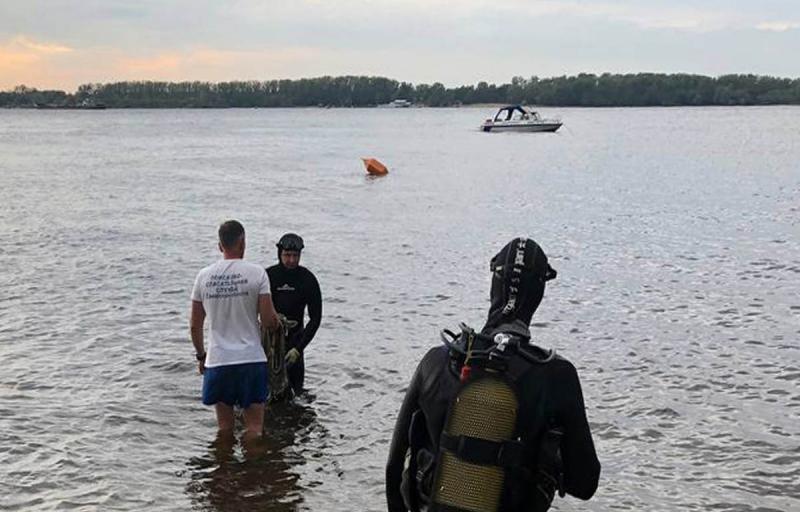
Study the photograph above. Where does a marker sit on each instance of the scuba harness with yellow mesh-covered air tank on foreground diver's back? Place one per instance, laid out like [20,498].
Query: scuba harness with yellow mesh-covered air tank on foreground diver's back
[482,463]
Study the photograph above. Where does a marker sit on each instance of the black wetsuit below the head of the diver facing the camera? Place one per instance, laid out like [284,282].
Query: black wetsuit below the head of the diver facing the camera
[292,291]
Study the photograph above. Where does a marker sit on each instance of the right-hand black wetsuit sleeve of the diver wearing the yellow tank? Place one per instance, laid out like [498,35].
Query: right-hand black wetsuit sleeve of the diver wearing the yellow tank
[581,467]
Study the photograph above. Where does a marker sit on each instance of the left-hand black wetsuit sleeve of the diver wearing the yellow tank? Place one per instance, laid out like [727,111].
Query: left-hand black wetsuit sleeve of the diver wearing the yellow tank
[397,450]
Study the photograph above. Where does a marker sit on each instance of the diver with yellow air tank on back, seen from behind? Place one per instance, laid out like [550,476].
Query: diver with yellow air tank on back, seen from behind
[492,422]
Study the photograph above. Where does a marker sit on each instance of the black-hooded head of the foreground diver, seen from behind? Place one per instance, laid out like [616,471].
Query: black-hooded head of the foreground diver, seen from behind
[519,272]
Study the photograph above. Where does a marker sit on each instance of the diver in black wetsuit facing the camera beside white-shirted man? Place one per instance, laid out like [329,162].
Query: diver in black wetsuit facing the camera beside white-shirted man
[294,288]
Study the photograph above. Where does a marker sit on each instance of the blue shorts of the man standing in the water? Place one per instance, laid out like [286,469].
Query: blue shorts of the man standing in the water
[236,384]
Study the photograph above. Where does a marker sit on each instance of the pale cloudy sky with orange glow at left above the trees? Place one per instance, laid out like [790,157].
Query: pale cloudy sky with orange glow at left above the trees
[61,44]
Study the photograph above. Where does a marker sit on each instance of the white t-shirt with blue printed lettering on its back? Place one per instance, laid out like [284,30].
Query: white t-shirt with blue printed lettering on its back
[229,291]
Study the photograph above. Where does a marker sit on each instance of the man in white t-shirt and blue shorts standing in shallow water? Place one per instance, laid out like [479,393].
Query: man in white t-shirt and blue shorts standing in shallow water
[233,294]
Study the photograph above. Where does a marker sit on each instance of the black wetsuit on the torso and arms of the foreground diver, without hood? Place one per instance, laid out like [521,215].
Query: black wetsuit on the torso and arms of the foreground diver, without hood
[548,392]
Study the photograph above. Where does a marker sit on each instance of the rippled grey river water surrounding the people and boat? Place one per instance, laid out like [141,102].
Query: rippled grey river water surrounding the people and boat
[675,232]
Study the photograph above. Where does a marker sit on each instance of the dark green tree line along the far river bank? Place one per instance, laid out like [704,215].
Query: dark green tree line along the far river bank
[583,90]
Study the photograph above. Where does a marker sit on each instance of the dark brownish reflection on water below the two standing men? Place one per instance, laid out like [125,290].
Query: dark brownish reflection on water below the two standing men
[260,474]
